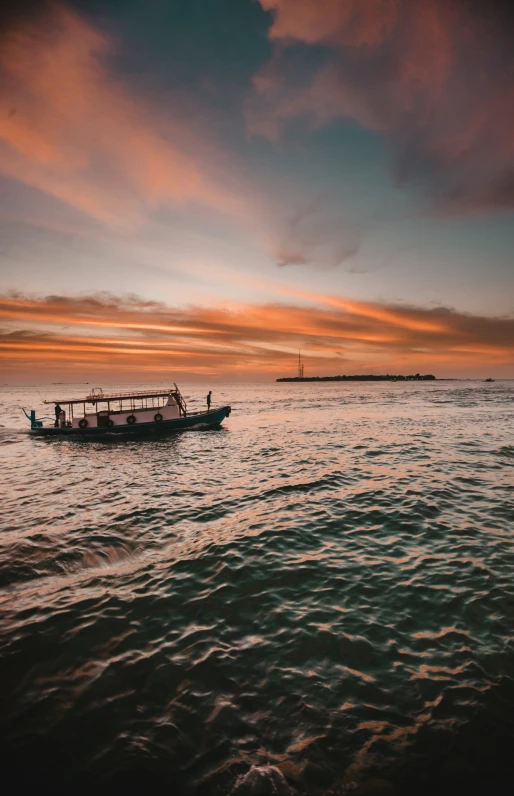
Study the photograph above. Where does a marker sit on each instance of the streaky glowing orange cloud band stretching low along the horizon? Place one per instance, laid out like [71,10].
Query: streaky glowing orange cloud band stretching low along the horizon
[126,335]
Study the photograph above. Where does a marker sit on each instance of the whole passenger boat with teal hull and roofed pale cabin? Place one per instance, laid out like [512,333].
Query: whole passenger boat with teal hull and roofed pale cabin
[124,412]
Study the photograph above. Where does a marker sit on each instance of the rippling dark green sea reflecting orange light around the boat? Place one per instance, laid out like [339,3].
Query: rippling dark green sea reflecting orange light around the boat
[321,593]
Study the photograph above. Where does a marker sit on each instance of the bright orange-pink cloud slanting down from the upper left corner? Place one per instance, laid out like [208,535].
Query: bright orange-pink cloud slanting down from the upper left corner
[70,128]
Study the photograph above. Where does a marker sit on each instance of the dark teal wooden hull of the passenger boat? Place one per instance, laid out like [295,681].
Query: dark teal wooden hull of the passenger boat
[209,419]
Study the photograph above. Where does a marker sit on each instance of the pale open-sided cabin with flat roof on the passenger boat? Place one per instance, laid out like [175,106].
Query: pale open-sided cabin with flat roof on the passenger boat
[104,410]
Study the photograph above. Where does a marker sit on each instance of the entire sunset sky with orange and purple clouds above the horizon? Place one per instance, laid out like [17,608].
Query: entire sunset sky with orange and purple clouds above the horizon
[199,188]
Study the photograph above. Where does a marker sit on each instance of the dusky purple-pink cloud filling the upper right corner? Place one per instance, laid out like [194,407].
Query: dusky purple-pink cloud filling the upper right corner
[433,76]
